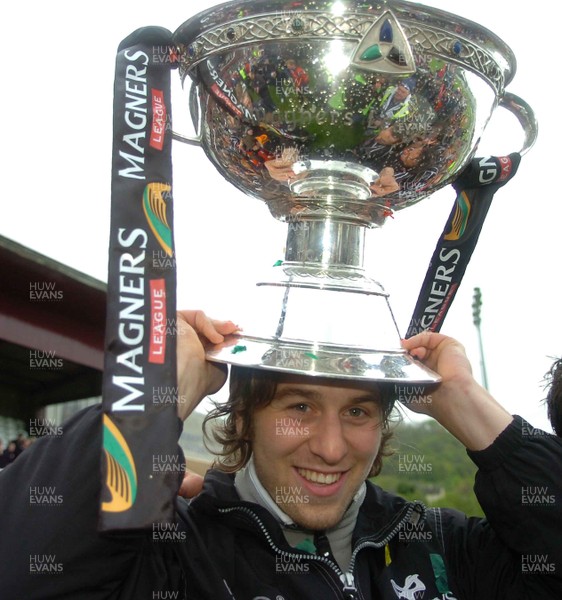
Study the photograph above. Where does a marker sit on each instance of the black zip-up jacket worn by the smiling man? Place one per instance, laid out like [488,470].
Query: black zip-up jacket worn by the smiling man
[223,548]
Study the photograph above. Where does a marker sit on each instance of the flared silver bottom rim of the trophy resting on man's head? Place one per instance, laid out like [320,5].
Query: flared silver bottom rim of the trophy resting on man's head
[379,366]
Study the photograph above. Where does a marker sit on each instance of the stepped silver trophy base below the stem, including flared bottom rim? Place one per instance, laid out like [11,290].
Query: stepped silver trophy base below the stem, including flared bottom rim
[326,321]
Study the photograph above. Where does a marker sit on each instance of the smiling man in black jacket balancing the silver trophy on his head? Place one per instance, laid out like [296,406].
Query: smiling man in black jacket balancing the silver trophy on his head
[290,513]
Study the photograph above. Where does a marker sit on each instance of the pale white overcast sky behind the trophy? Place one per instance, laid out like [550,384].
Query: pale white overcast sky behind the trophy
[58,71]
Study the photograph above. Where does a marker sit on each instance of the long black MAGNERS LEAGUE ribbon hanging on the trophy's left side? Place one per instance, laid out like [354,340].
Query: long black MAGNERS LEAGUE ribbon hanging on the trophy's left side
[140,463]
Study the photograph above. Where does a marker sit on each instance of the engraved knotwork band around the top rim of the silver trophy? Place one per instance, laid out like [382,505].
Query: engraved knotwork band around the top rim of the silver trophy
[215,30]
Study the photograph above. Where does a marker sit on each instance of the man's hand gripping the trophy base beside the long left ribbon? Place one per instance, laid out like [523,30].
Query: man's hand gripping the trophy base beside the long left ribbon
[198,377]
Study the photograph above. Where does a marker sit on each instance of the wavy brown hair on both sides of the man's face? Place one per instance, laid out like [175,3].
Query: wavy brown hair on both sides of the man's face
[255,388]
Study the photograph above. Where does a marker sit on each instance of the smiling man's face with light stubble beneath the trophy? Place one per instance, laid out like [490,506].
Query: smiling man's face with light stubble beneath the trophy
[314,445]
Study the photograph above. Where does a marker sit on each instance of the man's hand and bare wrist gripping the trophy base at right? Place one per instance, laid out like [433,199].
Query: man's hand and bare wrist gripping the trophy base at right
[459,403]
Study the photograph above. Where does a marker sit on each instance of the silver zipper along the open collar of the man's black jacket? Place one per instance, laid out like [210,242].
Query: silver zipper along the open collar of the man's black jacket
[347,579]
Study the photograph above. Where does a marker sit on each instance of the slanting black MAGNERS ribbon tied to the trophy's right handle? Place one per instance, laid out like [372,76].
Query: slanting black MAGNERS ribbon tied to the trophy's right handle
[475,190]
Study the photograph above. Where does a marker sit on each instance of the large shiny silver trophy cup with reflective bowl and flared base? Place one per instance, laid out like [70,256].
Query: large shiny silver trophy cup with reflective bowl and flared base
[337,115]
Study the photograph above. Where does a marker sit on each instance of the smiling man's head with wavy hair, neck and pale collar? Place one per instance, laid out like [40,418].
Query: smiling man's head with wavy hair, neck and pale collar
[314,442]
